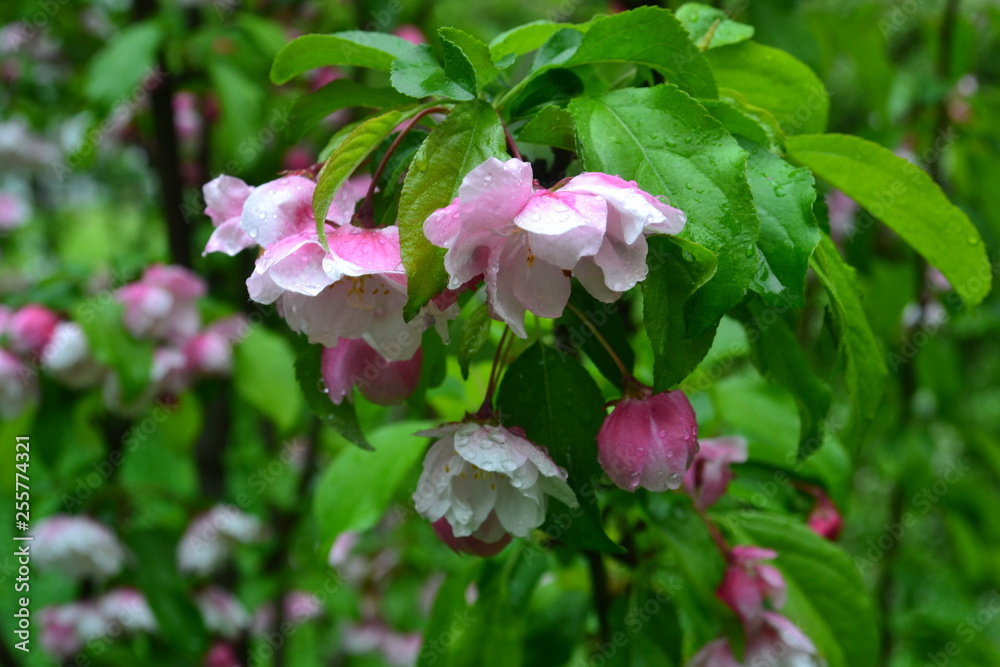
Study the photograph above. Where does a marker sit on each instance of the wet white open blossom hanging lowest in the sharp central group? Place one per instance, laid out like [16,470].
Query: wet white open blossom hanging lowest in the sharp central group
[487,481]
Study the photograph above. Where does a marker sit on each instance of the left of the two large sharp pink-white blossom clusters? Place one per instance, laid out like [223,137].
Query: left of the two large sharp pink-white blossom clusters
[356,290]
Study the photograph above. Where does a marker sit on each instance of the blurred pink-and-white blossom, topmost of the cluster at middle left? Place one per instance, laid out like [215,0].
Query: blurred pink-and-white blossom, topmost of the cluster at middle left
[163,304]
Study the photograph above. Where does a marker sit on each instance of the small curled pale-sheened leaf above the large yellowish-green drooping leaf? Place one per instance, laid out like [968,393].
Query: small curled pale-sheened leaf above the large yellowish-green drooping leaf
[421,75]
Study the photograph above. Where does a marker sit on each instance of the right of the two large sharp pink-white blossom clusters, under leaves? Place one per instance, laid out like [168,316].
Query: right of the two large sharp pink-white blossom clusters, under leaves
[526,241]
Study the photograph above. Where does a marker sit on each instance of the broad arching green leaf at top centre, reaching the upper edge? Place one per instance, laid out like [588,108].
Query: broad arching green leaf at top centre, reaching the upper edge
[652,37]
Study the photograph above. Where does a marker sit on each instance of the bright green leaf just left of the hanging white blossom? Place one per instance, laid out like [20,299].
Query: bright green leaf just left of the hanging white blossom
[355,490]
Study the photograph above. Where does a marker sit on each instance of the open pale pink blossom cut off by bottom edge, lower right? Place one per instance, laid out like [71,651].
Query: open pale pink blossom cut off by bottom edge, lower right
[778,643]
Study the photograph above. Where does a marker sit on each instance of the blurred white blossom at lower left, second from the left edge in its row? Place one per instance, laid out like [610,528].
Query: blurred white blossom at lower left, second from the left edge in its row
[209,539]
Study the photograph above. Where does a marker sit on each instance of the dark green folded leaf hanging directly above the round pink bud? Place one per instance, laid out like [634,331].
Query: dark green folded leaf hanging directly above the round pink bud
[677,269]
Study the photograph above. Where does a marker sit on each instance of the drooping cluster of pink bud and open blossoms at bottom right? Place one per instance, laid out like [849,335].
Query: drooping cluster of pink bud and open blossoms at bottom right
[771,639]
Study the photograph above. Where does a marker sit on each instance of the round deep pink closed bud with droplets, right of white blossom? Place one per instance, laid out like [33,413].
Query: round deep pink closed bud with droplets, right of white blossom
[649,441]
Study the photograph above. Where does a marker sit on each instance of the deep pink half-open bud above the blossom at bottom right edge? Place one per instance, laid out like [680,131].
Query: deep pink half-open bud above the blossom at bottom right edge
[748,583]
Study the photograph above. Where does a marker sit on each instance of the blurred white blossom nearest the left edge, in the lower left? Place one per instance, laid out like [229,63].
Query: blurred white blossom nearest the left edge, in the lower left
[77,546]
